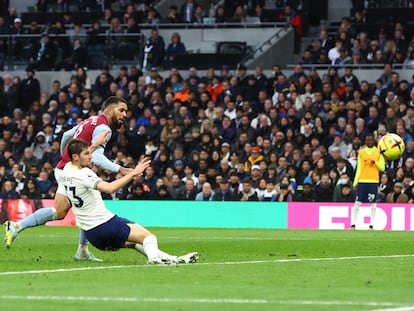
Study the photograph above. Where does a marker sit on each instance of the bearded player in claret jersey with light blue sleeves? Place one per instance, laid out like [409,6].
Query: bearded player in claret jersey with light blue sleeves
[95,130]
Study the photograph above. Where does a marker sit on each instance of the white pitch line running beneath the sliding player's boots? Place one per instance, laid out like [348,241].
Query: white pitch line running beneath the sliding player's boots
[205,264]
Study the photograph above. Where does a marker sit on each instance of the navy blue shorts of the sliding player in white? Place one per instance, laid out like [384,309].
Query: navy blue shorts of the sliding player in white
[111,235]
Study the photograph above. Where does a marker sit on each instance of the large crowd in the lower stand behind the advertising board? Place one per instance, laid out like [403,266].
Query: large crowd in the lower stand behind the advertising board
[226,135]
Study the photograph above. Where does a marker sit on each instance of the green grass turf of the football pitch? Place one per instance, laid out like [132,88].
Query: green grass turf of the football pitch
[238,270]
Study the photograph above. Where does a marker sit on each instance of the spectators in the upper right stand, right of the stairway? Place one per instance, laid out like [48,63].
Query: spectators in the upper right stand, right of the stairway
[354,45]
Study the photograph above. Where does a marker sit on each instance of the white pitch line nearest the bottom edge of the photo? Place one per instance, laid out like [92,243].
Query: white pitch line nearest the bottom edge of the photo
[397,306]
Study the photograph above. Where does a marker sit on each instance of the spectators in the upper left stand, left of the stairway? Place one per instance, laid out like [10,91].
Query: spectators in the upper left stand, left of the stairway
[67,44]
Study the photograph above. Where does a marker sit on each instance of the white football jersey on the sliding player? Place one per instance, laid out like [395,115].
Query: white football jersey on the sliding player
[87,204]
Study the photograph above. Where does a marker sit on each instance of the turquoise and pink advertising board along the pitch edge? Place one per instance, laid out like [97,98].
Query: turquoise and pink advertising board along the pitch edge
[264,215]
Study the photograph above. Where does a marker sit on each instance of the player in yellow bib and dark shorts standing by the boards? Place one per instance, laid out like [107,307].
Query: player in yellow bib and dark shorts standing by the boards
[370,163]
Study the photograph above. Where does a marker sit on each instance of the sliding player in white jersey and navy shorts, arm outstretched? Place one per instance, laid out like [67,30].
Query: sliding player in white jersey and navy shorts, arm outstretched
[105,230]
